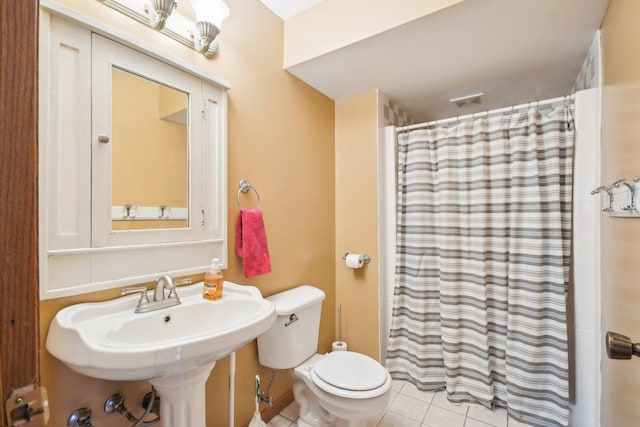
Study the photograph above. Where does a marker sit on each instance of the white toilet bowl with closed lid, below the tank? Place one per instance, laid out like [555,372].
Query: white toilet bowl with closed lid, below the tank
[342,389]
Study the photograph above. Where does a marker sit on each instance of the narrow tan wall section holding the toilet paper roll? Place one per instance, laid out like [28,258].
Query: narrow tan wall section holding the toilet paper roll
[357,219]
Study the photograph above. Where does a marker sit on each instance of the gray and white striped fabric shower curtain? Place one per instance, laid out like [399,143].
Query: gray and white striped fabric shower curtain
[483,247]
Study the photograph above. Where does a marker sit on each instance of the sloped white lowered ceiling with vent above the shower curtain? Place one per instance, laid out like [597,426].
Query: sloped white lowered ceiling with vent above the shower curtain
[514,51]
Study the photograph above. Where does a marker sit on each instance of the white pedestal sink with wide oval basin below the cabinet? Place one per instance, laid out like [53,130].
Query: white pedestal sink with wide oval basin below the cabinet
[173,348]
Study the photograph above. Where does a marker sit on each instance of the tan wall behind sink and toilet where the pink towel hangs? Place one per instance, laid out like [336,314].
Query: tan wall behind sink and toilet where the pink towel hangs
[281,138]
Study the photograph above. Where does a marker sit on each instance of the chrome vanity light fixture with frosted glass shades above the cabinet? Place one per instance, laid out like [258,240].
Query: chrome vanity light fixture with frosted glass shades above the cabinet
[200,35]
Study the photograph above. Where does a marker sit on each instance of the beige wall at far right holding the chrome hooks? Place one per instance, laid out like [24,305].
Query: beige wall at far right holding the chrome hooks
[620,237]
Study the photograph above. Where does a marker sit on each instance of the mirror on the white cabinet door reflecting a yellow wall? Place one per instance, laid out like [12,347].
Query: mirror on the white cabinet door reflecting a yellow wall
[150,148]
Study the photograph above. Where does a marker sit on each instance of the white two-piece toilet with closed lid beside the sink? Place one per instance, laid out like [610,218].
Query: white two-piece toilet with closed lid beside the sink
[341,388]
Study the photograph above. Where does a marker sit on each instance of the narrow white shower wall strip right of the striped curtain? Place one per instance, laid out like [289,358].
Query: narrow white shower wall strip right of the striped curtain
[584,293]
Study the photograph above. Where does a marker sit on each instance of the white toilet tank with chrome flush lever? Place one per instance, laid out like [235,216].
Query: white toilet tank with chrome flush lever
[294,336]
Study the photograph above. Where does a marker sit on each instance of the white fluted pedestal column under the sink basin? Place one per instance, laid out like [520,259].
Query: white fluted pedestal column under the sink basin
[183,397]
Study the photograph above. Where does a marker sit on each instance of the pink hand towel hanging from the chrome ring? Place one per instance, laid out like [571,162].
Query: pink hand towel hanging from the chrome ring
[251,243]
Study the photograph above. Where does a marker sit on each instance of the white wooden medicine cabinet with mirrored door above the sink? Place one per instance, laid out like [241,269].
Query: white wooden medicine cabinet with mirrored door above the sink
[132,159]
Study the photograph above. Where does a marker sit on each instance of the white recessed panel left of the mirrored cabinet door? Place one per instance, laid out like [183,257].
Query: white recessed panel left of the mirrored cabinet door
[65,120]
